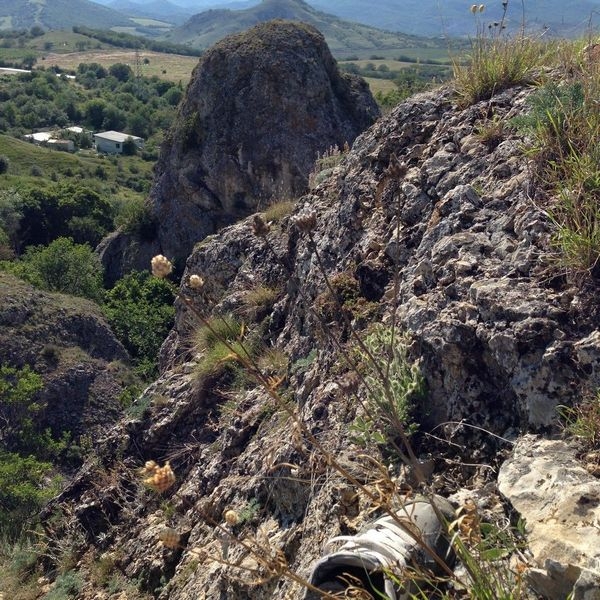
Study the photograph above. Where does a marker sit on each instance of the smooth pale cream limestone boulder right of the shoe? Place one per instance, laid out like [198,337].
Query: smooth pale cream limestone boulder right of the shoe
[560,502]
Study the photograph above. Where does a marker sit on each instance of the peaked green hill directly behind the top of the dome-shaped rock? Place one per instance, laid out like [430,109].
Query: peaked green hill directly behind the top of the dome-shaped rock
[343,37]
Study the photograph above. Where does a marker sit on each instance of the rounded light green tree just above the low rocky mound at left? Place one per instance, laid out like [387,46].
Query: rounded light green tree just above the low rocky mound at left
[62,266]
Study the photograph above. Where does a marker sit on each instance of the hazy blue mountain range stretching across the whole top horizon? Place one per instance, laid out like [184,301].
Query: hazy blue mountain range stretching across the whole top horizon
[414,17]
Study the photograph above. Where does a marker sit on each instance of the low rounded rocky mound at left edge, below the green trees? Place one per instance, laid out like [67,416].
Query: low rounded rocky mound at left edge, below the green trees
[66,340]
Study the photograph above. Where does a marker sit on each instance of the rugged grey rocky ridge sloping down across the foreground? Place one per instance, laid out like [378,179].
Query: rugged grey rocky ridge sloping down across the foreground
[422,224]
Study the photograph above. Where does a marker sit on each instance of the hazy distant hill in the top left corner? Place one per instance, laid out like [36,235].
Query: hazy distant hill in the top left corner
[59,14]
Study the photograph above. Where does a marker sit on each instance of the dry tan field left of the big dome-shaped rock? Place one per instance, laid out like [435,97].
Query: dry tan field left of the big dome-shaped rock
[172,67]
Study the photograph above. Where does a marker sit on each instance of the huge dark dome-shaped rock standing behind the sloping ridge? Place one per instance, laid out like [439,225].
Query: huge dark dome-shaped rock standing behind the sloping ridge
[259,107]
